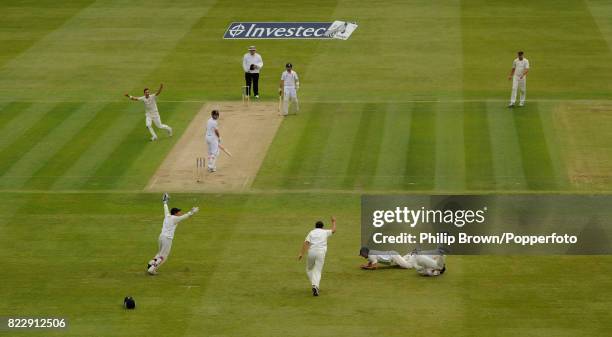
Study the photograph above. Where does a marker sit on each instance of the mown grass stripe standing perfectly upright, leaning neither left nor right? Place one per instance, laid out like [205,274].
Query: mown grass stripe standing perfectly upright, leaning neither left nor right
[450,158]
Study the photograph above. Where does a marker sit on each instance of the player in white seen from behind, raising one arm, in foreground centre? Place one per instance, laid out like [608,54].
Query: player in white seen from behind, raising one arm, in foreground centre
[316,246]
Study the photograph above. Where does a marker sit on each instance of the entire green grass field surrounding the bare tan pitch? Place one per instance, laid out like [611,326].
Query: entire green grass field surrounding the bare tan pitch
[413,102]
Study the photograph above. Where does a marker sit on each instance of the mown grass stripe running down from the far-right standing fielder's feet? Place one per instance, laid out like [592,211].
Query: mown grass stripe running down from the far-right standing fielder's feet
[537,165]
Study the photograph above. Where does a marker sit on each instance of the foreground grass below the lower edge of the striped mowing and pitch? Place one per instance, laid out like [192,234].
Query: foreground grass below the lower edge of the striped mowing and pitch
[233,271]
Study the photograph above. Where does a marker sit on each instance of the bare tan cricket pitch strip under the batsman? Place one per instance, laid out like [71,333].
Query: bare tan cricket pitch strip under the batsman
[246,131]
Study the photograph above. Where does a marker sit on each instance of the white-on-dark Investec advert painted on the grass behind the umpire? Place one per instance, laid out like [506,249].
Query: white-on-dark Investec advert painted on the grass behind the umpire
[289,30]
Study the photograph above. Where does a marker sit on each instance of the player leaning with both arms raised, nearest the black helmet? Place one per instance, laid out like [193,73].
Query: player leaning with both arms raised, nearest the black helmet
[171,219]
